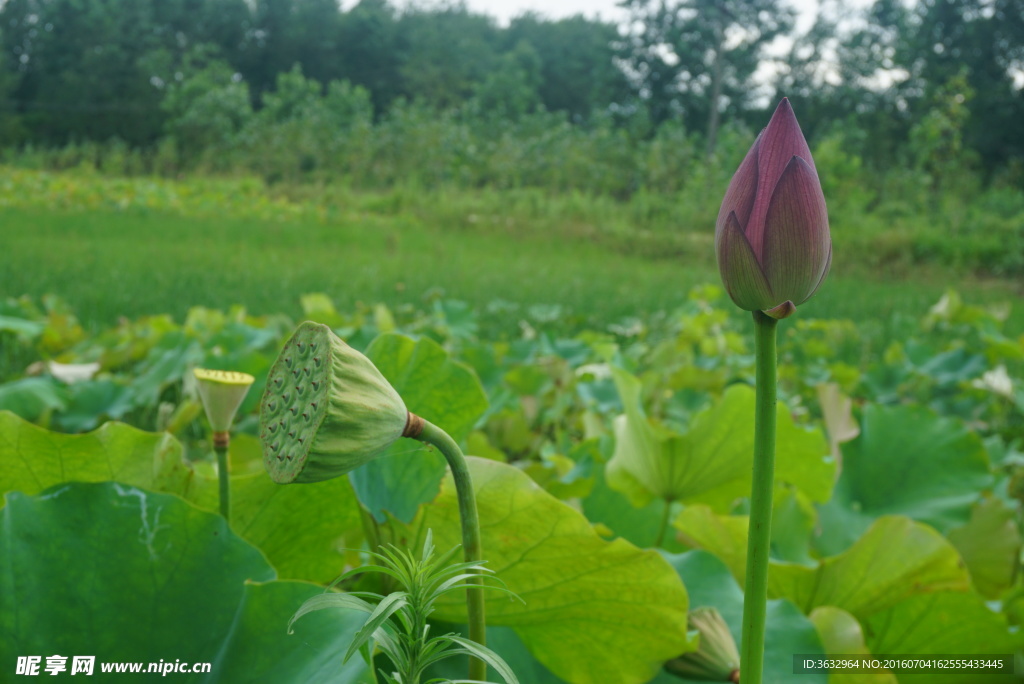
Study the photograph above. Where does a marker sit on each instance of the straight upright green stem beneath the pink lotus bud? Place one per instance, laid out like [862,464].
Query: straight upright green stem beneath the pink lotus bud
[759,536]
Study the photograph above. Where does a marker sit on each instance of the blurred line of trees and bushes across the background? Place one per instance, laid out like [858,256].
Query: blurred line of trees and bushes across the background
[295,89]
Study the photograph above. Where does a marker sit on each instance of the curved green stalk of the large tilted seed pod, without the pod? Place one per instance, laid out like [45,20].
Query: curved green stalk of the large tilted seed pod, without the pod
[472,546]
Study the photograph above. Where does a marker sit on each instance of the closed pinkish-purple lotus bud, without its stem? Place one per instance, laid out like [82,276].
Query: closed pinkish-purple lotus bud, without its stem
[772,237]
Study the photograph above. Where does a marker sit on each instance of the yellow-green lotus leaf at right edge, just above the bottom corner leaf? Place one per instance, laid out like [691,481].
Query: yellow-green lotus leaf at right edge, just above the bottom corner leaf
[991,545]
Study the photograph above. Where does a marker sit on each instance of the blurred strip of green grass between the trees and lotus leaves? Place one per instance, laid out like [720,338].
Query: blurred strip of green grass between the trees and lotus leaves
[111,250]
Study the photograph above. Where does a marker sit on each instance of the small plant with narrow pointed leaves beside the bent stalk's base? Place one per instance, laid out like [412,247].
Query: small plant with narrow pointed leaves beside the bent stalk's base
[398,623]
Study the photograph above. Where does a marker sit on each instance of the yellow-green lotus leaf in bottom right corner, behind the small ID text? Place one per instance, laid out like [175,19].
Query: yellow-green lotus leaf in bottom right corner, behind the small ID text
[955,623]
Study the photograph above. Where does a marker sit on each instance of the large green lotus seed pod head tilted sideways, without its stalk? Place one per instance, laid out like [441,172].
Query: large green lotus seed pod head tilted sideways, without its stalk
[327,409]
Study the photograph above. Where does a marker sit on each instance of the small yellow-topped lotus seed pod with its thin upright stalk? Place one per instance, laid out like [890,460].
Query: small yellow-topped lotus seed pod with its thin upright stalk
[223,394]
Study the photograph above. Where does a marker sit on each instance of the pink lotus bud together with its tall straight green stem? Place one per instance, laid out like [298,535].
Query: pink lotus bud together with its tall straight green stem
[775,250]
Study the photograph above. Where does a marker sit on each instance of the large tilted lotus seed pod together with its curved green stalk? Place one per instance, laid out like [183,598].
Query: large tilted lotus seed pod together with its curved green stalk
[328,410]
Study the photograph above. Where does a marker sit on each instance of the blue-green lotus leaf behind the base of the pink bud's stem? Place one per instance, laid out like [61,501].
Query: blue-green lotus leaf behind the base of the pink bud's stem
[788,631]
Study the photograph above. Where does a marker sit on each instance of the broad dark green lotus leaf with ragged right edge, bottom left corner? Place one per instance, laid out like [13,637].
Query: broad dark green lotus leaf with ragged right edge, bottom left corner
[110,571]
